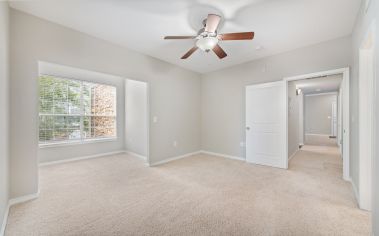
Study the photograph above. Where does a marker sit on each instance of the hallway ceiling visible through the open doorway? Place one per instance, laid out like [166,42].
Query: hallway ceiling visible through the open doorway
[320,85]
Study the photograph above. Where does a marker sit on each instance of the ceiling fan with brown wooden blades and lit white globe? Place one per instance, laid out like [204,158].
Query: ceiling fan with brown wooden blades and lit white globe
[207,38]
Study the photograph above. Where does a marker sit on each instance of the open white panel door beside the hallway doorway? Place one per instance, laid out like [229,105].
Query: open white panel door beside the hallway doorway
[266,124]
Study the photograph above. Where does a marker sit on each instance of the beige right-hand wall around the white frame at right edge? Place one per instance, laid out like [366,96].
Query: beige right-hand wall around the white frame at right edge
[364,20]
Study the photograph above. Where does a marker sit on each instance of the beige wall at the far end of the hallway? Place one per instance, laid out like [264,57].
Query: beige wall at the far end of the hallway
[318,113]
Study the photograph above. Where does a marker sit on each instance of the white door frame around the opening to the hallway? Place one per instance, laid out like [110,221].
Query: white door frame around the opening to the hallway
[346,109]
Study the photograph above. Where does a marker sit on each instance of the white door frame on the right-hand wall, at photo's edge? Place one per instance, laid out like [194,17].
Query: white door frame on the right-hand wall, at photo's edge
[367,96]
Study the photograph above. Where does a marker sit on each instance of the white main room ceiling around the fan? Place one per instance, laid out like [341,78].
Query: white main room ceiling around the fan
[279,25]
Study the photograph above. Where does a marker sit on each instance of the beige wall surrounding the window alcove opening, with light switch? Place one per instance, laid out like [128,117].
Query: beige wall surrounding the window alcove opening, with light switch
[174,92]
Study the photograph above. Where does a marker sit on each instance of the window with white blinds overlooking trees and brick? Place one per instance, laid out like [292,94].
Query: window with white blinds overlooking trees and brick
[75,111]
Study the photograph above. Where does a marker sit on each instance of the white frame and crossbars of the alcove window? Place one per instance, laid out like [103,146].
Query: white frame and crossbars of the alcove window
[81,140]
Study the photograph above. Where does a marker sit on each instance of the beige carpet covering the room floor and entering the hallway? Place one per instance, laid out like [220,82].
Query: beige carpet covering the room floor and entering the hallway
[200,195]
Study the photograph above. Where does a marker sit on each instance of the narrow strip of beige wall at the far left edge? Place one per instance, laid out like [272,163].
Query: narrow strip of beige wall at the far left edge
[4,110]
